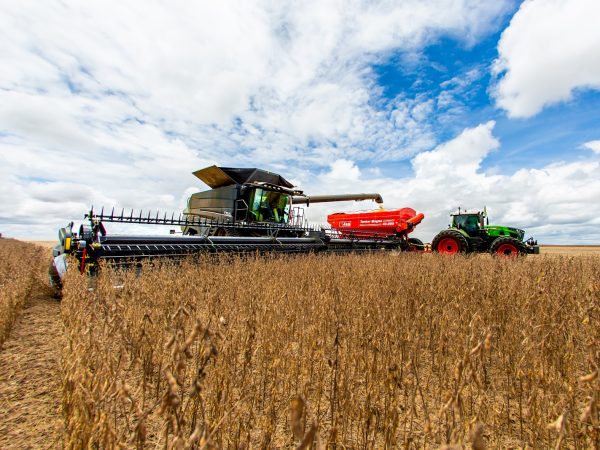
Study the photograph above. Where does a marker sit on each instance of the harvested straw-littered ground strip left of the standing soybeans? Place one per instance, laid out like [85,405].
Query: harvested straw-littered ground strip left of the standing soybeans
[30,414]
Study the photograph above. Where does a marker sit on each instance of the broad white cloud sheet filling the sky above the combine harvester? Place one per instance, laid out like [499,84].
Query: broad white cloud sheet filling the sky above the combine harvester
[116,103]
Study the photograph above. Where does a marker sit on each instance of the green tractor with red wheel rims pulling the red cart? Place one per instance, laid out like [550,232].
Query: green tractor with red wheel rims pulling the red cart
[471,232]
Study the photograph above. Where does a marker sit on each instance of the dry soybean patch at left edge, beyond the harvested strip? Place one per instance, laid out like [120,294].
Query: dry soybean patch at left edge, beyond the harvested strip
[21,271]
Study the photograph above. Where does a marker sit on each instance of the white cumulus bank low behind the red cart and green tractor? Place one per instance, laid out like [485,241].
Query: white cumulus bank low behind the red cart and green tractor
[556,204]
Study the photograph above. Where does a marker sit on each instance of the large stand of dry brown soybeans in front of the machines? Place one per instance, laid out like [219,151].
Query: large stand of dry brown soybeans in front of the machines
[326,351]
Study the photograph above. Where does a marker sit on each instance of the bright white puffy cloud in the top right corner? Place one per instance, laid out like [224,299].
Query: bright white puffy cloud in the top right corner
[549,50]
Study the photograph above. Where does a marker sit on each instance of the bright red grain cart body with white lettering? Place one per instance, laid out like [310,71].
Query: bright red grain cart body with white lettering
[395,221]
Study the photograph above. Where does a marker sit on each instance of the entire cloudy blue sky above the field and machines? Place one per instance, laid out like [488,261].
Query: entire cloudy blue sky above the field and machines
[435,104]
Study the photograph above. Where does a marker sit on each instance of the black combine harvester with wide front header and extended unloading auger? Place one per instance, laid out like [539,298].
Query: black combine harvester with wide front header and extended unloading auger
[246,211]
